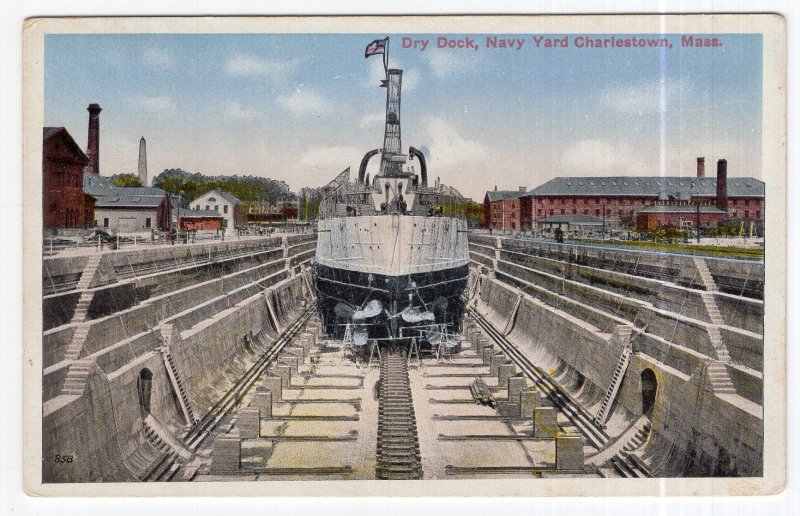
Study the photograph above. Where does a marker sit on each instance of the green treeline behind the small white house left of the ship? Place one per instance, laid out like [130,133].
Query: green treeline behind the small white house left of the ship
[248,189]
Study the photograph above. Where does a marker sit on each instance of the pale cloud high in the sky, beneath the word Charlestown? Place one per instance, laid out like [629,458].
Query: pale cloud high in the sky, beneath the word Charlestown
[647,98]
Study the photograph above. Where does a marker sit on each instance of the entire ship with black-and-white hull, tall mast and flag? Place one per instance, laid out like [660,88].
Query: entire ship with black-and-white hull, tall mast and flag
[391,261]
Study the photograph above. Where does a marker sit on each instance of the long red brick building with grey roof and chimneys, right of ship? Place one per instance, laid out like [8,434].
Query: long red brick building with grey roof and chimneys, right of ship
[646,201]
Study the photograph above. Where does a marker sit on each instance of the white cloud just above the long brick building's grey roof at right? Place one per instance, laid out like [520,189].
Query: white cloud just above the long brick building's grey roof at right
[599,157]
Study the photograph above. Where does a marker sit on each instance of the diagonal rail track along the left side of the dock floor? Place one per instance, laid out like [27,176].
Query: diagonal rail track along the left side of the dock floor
[204,428]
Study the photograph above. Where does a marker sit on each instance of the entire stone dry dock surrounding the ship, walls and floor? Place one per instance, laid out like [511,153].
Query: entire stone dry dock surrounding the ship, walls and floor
[209,362]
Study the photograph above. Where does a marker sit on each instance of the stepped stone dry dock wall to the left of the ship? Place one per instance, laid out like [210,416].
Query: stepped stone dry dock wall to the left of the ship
[211,331]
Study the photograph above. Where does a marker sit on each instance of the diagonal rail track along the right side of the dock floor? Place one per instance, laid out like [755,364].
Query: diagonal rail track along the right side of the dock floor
[625,464]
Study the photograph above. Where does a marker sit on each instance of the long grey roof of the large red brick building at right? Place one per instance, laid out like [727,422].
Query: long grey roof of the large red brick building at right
[675,187]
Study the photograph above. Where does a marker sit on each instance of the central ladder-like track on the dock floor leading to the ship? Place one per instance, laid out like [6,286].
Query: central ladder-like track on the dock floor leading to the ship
[398,456]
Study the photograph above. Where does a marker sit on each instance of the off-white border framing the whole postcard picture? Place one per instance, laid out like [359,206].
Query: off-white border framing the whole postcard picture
[774,174]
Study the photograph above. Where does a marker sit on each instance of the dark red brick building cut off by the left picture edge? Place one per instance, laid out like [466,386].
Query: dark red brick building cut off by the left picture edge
[64,203]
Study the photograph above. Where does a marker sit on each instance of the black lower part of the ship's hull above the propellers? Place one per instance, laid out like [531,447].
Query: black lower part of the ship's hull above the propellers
[342,291]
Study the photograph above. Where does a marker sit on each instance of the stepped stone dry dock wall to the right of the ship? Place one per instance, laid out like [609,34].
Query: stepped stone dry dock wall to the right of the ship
[568,324]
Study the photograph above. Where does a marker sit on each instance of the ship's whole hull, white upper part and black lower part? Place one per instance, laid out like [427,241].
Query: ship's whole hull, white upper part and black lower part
[404,262]
